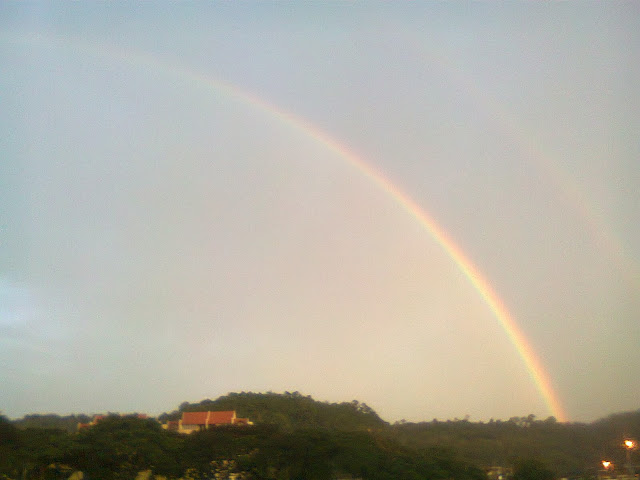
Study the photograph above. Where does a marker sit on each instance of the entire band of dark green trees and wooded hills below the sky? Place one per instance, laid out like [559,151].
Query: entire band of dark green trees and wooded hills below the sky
[295,437]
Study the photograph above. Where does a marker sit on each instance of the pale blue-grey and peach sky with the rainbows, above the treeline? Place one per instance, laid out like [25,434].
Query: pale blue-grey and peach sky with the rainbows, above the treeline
[432,208]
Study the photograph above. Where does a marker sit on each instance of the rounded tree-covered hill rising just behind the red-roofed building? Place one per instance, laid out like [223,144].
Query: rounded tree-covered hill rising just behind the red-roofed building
[289,410]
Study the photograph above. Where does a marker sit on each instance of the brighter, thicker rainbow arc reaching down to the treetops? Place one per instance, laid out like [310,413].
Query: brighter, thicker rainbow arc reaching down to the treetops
[533,365]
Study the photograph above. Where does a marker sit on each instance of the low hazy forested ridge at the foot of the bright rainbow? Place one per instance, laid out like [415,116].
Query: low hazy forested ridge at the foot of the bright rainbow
[569,449]
